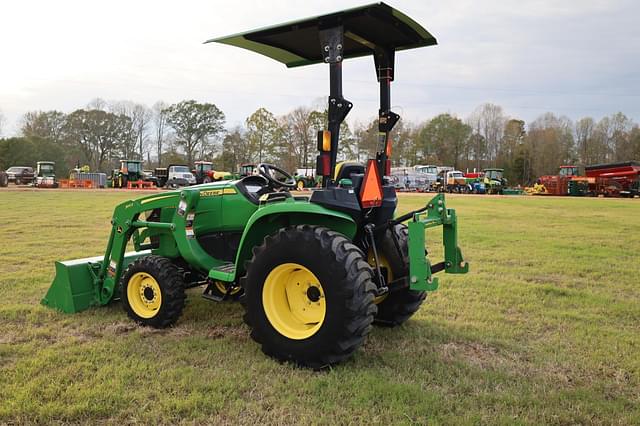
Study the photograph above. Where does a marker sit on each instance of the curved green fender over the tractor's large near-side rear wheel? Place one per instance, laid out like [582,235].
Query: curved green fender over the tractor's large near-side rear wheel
[272,217]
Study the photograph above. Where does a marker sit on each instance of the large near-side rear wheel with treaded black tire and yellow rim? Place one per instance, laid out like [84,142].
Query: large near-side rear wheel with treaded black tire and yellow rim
[308,296]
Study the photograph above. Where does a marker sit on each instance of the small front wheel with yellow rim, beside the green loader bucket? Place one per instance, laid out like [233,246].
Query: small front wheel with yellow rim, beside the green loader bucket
[153,292]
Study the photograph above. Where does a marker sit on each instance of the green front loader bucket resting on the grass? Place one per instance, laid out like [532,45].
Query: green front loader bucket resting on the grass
[74,287]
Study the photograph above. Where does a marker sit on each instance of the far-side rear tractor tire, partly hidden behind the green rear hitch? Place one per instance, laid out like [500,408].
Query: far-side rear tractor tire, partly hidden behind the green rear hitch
[397,306]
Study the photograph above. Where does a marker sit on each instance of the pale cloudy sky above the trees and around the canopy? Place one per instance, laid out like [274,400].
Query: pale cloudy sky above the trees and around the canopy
[573,58]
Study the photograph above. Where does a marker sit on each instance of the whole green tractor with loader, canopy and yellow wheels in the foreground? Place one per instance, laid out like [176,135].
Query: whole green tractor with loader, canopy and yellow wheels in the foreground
[313,273]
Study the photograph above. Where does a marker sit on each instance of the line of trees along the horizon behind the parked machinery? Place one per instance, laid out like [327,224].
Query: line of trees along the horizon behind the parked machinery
[104,132]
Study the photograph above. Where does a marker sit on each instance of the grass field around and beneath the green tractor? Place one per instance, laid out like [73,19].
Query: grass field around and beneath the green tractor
[544,329]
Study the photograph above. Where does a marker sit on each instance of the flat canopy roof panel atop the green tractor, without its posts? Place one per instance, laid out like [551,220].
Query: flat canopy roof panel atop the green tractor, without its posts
[365,28]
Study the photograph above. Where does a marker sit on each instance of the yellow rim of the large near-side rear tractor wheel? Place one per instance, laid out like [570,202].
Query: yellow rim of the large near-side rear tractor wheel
[294,301]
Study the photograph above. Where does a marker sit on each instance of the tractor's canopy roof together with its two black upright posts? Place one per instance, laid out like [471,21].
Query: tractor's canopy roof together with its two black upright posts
[377,30]
